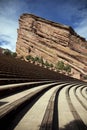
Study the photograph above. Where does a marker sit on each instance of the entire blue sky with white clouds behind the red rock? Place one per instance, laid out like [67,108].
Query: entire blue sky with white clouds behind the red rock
[69,12]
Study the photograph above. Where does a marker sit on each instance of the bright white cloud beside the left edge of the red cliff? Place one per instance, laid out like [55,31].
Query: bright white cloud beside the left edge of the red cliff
[8,32]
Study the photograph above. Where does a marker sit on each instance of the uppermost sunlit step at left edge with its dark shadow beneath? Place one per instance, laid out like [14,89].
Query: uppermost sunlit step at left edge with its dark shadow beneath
[6,90]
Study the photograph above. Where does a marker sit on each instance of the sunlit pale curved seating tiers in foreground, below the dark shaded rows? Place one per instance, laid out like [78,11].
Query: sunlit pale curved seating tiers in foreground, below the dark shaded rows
[44,105]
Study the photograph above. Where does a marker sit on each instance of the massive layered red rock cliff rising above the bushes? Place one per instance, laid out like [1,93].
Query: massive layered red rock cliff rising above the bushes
[52,41]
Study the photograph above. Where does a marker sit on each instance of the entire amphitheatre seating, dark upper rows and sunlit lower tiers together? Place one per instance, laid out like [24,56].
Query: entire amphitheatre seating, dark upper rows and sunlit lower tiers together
[34,98]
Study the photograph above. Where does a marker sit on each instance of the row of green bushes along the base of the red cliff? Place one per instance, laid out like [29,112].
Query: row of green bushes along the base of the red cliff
[60,66]
